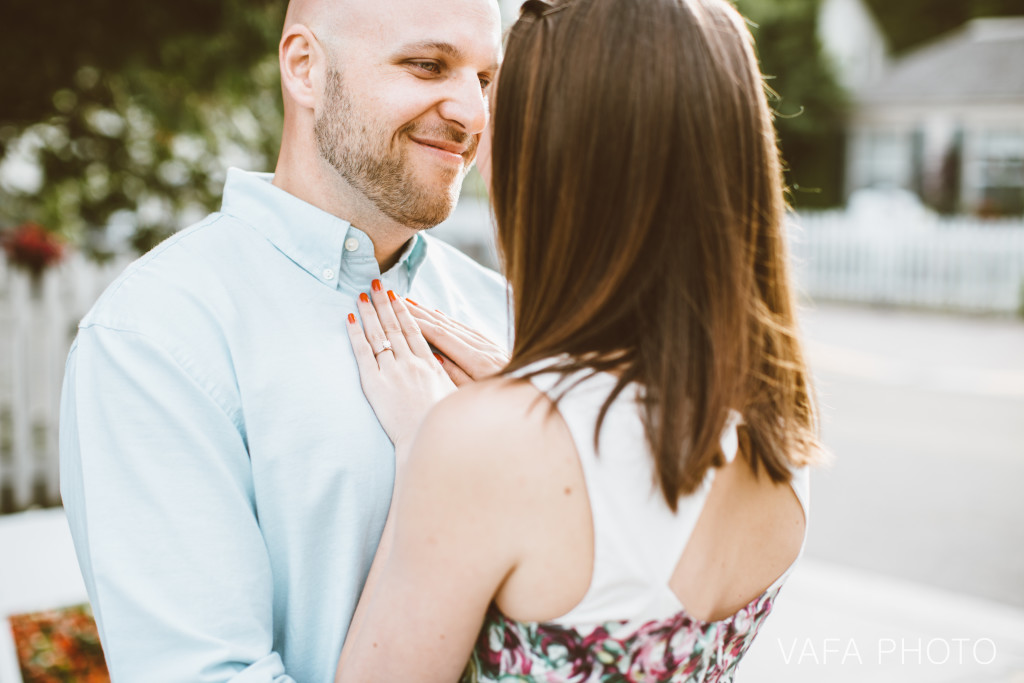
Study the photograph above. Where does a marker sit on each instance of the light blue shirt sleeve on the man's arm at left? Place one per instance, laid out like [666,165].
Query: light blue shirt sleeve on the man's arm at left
[158,489]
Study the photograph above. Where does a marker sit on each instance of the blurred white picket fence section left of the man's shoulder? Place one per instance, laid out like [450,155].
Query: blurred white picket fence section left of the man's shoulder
[37,324]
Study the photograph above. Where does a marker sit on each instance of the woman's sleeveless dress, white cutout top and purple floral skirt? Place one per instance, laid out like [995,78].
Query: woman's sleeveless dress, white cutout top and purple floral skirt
[637,544]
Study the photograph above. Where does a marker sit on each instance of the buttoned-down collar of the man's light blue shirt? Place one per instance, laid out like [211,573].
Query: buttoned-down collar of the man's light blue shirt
[327,247]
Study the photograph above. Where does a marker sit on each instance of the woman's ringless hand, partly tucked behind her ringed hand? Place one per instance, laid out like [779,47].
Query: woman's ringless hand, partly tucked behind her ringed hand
[473,356]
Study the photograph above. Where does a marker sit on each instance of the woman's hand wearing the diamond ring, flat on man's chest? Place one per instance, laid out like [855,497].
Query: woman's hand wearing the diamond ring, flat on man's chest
[401,376]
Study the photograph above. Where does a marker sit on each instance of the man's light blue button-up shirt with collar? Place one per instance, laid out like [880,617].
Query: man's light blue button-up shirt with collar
[226,481]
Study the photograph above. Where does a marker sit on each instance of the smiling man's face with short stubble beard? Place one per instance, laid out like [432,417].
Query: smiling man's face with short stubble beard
[406,102]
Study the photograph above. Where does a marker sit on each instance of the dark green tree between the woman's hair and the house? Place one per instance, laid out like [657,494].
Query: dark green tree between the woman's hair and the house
[810,105]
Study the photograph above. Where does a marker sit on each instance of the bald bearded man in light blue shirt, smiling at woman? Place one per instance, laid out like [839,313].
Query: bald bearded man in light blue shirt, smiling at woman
[226,481]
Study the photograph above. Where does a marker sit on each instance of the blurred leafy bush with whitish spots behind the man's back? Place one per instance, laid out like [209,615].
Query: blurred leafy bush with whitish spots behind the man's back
[132,110]
